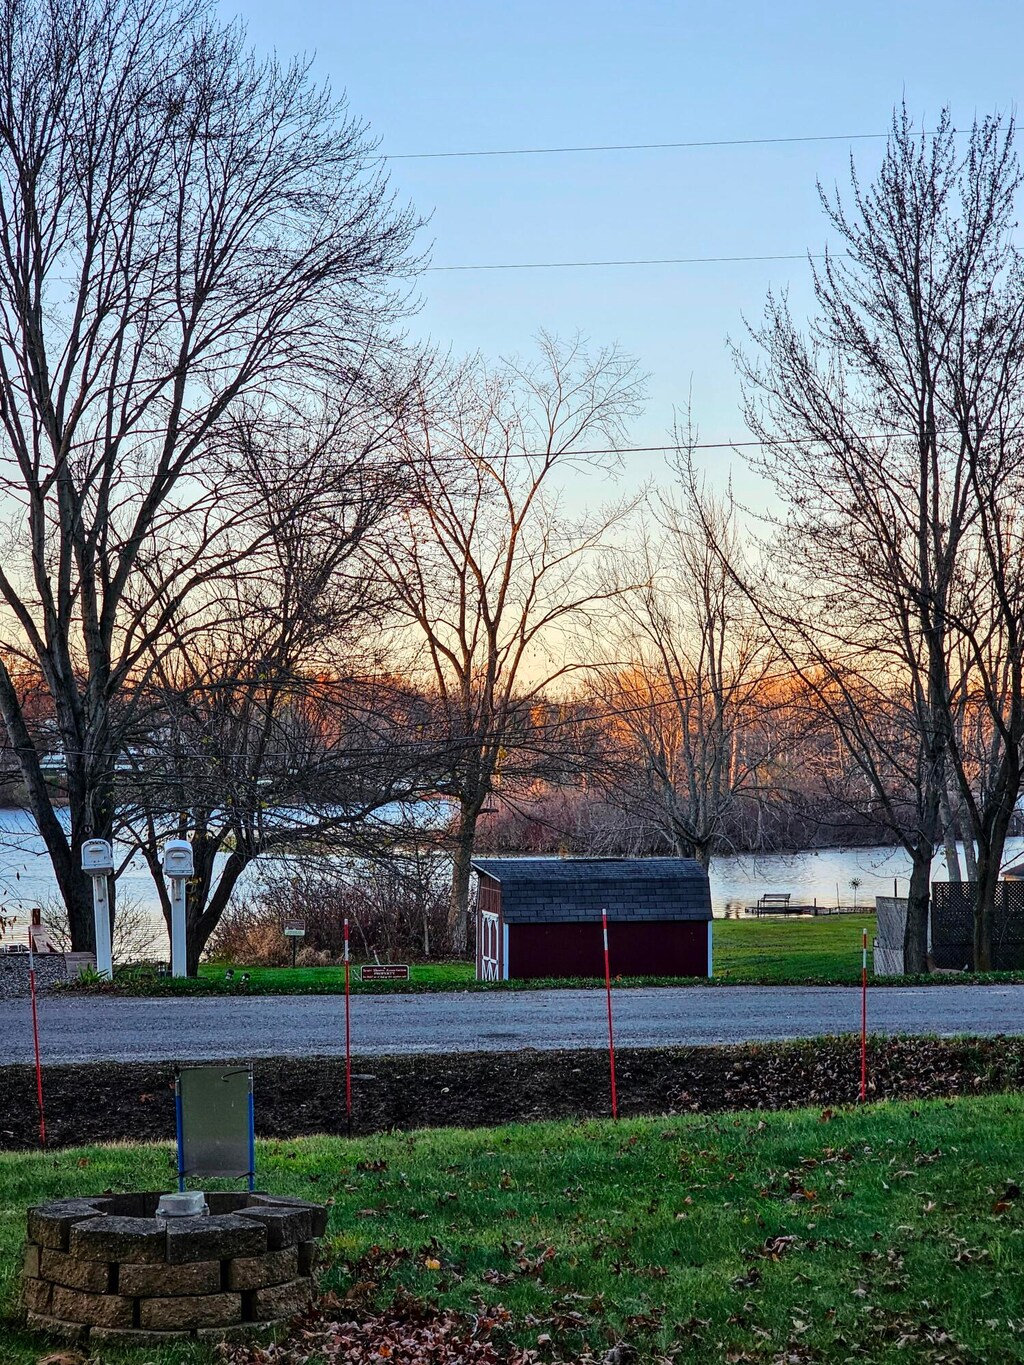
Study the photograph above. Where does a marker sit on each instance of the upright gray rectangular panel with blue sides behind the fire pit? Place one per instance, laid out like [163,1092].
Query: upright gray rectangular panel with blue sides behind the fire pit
[215,1123]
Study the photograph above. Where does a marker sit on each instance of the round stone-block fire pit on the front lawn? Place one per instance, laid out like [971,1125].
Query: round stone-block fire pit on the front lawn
[107,1270]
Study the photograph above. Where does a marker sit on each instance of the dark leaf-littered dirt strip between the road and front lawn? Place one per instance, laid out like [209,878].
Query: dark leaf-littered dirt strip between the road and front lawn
[134,1101]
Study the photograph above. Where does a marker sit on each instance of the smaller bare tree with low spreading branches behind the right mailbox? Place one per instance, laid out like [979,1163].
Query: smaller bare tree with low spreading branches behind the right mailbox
[267,727]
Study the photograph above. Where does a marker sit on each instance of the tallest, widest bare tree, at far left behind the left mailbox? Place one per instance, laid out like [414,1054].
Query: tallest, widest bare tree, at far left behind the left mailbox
[186,233]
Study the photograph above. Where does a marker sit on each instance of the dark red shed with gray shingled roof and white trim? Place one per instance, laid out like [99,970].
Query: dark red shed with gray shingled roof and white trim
[541,917]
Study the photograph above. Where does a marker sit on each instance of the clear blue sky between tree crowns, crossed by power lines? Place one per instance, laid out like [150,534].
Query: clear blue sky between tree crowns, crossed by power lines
[440,77]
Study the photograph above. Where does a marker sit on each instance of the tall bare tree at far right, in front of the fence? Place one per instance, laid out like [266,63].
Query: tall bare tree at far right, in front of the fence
[892,439]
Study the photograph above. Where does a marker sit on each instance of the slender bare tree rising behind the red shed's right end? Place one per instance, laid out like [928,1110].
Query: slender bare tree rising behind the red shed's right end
[687,675]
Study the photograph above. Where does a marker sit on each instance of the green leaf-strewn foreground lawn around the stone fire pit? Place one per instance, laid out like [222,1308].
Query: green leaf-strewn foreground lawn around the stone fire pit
[760,1237]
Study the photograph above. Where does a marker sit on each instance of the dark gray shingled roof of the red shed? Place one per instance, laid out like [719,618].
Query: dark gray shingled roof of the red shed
[560,889]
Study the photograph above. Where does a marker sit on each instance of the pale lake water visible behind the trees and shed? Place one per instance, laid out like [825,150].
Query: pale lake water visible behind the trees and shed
[823,876]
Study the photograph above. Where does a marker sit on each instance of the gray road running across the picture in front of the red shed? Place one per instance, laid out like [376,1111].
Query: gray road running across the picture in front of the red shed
[208,1029]
